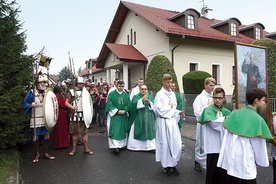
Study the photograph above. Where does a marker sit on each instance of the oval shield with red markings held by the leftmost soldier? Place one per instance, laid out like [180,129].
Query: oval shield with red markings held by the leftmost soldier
[50,109]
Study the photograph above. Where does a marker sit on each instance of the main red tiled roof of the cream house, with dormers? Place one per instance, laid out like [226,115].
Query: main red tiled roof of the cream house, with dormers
[159,18]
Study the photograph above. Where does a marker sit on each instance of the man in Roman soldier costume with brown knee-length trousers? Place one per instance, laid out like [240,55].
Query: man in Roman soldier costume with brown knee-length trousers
[77,124]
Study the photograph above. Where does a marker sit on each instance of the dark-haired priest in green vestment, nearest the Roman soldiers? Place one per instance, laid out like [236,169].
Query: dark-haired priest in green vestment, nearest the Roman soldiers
[117,112]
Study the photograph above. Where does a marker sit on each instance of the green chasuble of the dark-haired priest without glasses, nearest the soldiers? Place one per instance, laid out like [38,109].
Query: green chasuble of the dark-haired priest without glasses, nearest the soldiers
[118,122]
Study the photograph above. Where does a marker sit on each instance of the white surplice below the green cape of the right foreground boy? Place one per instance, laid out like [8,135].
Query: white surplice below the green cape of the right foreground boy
[239,155]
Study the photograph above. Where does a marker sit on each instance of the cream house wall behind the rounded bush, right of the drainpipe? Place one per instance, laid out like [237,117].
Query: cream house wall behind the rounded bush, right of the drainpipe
[206,54]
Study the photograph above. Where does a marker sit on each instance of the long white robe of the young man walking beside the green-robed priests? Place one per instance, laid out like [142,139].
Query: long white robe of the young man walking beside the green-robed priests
[168,137]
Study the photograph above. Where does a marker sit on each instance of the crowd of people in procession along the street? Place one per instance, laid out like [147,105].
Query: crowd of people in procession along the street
[228,144]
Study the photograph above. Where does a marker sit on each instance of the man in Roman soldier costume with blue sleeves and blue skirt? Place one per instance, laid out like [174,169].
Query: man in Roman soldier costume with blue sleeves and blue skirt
[33,104]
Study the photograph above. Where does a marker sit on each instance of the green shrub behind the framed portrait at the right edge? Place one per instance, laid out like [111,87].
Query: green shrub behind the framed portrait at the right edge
[271,66]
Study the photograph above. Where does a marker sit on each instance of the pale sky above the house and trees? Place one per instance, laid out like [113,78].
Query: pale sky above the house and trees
[80,27]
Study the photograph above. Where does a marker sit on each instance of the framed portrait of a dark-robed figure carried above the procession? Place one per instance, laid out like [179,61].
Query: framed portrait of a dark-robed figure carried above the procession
[251,70]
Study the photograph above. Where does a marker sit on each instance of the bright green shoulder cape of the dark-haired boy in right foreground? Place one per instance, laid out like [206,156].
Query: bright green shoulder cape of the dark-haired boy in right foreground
[248,123]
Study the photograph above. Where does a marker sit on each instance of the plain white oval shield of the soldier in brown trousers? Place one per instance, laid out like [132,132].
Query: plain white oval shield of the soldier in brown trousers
[87,107]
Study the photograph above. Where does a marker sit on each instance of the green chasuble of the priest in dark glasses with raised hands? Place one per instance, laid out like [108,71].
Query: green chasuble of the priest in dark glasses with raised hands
[144,119]
